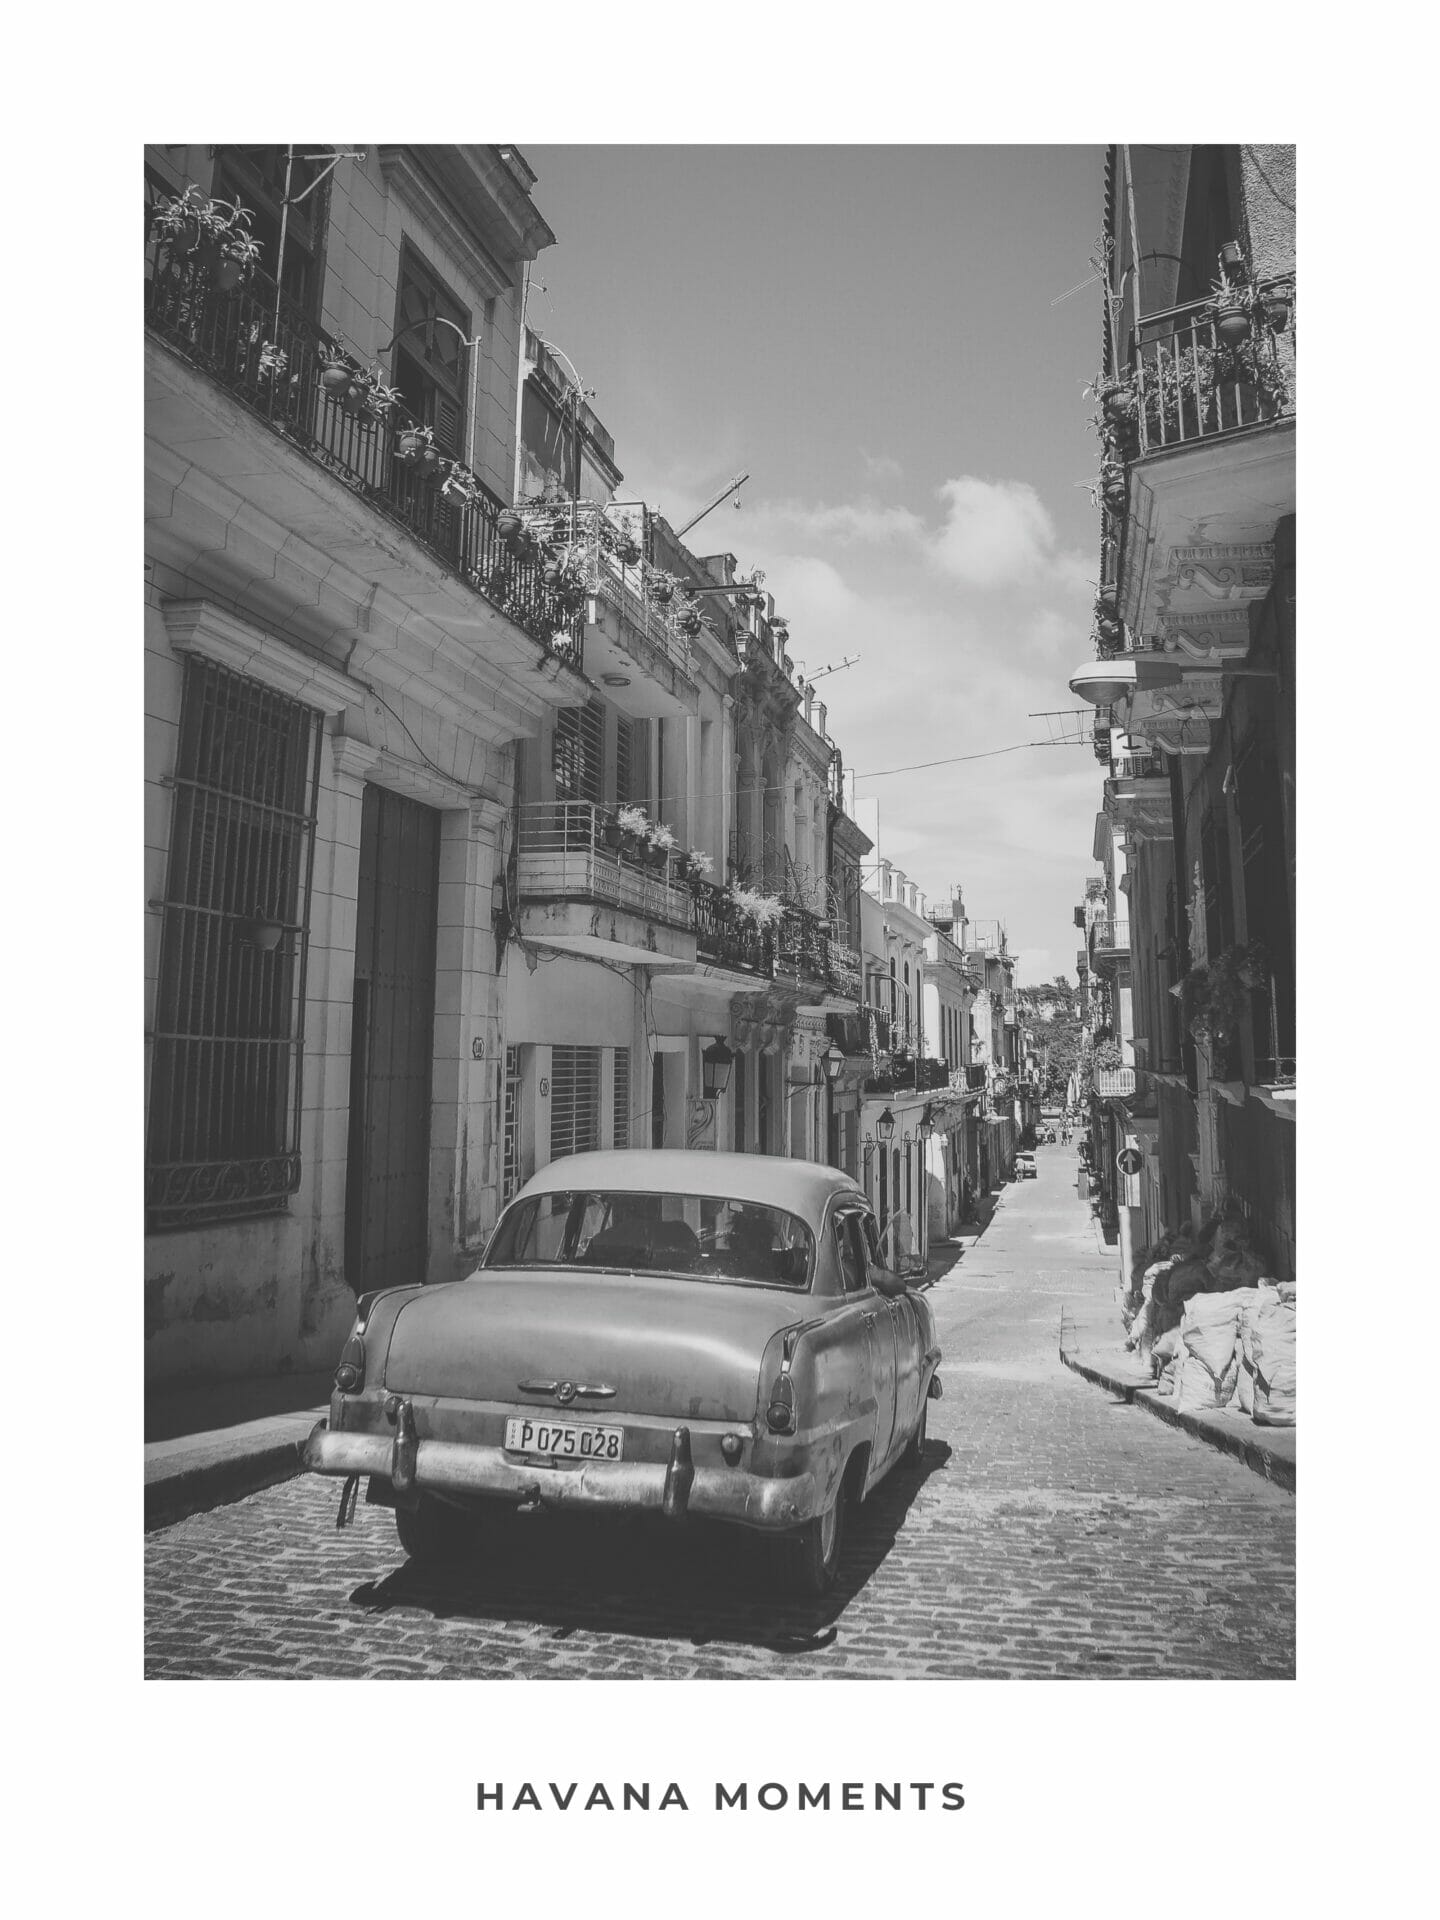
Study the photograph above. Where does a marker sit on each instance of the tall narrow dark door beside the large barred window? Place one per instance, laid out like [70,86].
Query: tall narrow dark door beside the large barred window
[393,1044]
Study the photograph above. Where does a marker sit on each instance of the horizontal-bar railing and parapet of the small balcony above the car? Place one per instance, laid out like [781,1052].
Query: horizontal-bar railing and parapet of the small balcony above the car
[571,852]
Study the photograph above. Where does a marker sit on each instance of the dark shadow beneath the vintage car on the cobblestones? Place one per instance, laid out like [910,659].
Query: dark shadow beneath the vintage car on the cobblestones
[648,1579]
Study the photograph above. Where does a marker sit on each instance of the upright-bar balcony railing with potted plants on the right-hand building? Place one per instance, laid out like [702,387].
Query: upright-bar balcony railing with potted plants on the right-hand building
[1189,385]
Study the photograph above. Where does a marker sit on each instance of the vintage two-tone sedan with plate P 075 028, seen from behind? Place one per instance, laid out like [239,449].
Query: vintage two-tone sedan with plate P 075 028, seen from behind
[690,1333]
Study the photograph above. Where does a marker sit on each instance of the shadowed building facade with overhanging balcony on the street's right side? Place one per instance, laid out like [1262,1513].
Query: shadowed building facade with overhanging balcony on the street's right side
[1195,686]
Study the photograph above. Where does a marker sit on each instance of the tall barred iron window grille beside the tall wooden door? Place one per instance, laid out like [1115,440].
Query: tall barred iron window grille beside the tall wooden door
[226,1095]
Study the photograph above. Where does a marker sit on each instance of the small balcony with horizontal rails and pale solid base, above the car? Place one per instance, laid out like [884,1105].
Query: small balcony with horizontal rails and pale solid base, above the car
[588,898]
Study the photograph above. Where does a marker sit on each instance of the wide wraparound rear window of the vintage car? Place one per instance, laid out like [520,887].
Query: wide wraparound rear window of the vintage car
[700,1237]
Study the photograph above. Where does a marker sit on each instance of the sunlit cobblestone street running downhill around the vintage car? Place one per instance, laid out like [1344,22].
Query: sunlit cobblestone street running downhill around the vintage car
[1053,1533]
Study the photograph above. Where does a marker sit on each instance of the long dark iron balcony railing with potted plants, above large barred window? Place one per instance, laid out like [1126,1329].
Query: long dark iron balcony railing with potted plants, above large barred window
[272,356]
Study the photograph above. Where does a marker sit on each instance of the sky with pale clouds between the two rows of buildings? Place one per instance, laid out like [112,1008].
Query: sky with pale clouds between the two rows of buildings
[876,337]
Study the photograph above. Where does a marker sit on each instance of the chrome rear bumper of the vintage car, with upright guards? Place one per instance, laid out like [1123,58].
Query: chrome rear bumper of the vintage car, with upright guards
[677,1489]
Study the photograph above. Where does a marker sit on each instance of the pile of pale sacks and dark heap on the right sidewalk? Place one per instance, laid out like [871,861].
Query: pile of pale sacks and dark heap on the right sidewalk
[1214,1330]
